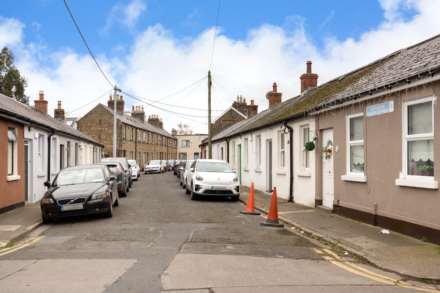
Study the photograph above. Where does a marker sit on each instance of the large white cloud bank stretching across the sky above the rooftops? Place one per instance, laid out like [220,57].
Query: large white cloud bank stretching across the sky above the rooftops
[158,63]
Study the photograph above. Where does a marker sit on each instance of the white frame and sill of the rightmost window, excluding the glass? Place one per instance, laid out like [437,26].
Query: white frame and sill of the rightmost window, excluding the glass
[404,179]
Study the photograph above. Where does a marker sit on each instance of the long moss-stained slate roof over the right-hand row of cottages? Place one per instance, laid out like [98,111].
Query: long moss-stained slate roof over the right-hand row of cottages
[400,66]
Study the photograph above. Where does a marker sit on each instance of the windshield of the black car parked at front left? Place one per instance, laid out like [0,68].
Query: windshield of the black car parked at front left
[79,176]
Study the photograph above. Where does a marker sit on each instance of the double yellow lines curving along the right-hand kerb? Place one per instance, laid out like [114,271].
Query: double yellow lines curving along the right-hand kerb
[360,271]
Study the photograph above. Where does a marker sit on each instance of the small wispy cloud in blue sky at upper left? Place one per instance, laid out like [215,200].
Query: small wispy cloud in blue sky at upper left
[127,15]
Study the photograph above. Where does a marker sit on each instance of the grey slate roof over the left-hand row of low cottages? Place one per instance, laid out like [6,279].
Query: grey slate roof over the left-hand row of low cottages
[29,114]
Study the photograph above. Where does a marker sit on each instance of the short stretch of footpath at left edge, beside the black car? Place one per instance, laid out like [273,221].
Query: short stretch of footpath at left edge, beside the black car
[16,223]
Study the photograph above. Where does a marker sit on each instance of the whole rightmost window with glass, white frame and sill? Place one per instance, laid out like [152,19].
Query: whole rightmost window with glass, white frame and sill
[418,145]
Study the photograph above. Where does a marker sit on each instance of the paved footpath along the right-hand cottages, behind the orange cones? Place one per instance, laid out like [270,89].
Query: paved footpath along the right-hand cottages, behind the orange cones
[391,251]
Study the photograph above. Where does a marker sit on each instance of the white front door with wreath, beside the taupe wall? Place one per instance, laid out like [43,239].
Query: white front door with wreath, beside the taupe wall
[328,195]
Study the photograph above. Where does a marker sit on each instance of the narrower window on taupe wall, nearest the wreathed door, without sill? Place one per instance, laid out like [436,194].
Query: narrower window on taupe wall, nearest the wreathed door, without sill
[355,145]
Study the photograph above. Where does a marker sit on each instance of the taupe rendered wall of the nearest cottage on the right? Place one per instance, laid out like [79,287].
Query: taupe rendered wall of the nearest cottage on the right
[384,195]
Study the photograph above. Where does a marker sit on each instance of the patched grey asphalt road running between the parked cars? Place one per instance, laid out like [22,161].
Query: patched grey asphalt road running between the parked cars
[160,241]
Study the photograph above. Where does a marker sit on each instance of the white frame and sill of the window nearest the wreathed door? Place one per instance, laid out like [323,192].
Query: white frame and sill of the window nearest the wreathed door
[354,176]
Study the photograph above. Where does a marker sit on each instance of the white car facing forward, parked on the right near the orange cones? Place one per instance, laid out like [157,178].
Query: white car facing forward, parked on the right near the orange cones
[212,178]
